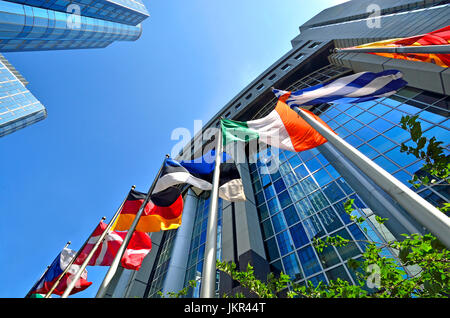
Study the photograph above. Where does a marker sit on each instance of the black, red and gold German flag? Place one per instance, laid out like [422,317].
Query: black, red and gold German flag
[162,212]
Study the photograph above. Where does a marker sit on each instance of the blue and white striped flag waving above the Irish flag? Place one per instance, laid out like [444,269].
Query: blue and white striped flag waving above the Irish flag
[356,88]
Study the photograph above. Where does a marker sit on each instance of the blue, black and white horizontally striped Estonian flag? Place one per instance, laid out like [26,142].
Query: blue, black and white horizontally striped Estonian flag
[199,173]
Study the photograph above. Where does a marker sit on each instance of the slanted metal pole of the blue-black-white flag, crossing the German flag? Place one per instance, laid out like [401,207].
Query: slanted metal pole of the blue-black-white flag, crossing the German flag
[118,258]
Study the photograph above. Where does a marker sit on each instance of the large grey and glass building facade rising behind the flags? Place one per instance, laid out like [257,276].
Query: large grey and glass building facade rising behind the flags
[303,198]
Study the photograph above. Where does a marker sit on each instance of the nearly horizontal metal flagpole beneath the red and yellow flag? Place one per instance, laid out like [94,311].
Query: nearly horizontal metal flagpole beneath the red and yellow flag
[423,49]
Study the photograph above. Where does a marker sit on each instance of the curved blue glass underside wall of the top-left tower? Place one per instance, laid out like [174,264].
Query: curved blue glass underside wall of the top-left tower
[28,28]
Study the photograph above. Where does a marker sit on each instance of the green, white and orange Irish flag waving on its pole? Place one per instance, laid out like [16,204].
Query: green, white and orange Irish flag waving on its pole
[283,128]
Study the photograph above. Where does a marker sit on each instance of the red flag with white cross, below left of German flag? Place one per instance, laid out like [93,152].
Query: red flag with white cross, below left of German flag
[138,248]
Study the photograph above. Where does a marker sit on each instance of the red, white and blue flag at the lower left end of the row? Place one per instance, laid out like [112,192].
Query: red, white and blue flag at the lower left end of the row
[44,285]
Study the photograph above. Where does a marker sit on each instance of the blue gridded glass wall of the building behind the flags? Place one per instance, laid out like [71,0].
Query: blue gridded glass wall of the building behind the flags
[304,198]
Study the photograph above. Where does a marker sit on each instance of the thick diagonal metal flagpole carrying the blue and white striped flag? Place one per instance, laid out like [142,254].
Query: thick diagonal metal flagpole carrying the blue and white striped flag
[420,209]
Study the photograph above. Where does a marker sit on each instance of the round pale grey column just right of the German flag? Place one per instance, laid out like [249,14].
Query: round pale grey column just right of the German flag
[176,271]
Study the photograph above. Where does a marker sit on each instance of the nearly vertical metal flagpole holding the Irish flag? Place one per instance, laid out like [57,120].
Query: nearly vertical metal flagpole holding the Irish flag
[208,286]
